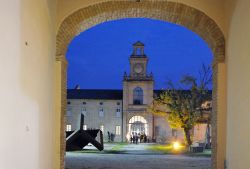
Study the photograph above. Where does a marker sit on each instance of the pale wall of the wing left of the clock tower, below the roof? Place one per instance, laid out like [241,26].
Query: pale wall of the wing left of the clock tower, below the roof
[92,118]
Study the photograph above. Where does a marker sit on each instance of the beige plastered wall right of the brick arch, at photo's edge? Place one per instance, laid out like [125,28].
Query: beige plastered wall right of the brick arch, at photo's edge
[238,95]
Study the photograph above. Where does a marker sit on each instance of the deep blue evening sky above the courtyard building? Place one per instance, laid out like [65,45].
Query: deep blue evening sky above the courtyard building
[99,56]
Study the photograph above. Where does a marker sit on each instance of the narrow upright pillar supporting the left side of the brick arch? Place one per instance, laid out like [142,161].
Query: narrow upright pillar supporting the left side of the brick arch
[60,109]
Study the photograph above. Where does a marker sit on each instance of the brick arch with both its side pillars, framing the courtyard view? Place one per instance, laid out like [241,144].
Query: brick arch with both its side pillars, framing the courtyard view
[172,12]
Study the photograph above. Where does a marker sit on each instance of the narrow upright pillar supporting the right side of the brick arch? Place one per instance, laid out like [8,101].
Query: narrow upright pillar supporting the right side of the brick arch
[219,116]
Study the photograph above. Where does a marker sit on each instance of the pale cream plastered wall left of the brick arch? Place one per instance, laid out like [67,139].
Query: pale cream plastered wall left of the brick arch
[27,46]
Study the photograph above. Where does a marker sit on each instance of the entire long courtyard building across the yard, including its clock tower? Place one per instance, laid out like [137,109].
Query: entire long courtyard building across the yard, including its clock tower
[125,113]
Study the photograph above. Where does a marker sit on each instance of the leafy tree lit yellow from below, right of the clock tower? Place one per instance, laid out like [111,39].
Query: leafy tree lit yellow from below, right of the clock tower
[183,102]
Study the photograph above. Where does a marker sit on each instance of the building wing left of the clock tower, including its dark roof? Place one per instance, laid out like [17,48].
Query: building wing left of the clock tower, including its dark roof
[102,109]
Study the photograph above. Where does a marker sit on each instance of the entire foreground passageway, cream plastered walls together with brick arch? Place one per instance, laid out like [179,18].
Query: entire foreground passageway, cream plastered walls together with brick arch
[35,35]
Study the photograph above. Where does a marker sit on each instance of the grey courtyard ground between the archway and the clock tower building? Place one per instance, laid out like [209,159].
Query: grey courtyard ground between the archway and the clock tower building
[134,157]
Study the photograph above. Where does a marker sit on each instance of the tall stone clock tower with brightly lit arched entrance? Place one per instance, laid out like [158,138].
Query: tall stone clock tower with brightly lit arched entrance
[137,95]
